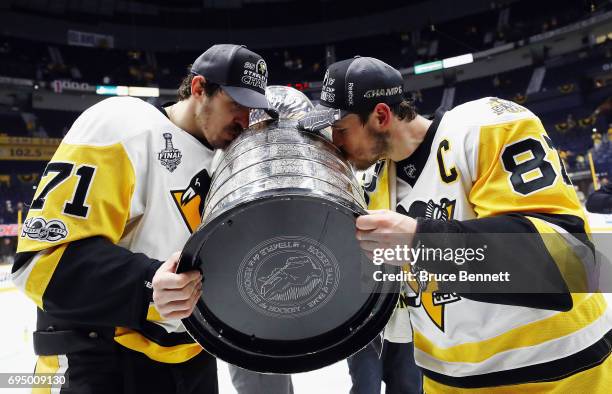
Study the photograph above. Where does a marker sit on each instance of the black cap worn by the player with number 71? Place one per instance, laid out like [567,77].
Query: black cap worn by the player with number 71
[242,73]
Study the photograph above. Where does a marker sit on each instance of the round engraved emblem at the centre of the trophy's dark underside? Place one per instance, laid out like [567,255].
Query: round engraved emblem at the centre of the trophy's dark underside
[288,277]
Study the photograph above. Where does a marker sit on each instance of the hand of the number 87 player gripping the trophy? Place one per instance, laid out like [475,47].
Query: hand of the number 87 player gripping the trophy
[385,229]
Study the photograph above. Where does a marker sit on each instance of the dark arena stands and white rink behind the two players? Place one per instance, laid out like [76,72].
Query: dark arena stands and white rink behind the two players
[59,57]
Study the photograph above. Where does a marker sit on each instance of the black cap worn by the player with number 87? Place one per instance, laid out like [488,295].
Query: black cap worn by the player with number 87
[354,85]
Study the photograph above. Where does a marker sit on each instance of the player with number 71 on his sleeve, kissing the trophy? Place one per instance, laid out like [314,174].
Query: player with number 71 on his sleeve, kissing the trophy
[120,196]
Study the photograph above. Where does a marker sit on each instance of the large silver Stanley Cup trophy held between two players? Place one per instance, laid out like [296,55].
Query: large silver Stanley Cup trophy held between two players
[286,287]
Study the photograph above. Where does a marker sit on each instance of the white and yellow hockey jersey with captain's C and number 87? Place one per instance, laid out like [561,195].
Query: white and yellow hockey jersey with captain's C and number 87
[492,159]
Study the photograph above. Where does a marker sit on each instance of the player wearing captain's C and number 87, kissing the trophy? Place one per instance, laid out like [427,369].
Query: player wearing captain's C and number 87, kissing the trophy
[484,167]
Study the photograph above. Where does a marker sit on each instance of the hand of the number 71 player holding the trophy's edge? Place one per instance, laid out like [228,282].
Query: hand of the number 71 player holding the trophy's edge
[175,295]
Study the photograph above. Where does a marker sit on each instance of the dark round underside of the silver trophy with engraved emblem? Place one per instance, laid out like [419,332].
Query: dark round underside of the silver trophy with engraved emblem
[289,295]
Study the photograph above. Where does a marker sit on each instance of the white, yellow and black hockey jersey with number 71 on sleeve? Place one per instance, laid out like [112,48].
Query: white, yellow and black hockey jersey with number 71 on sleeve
[124,177]
